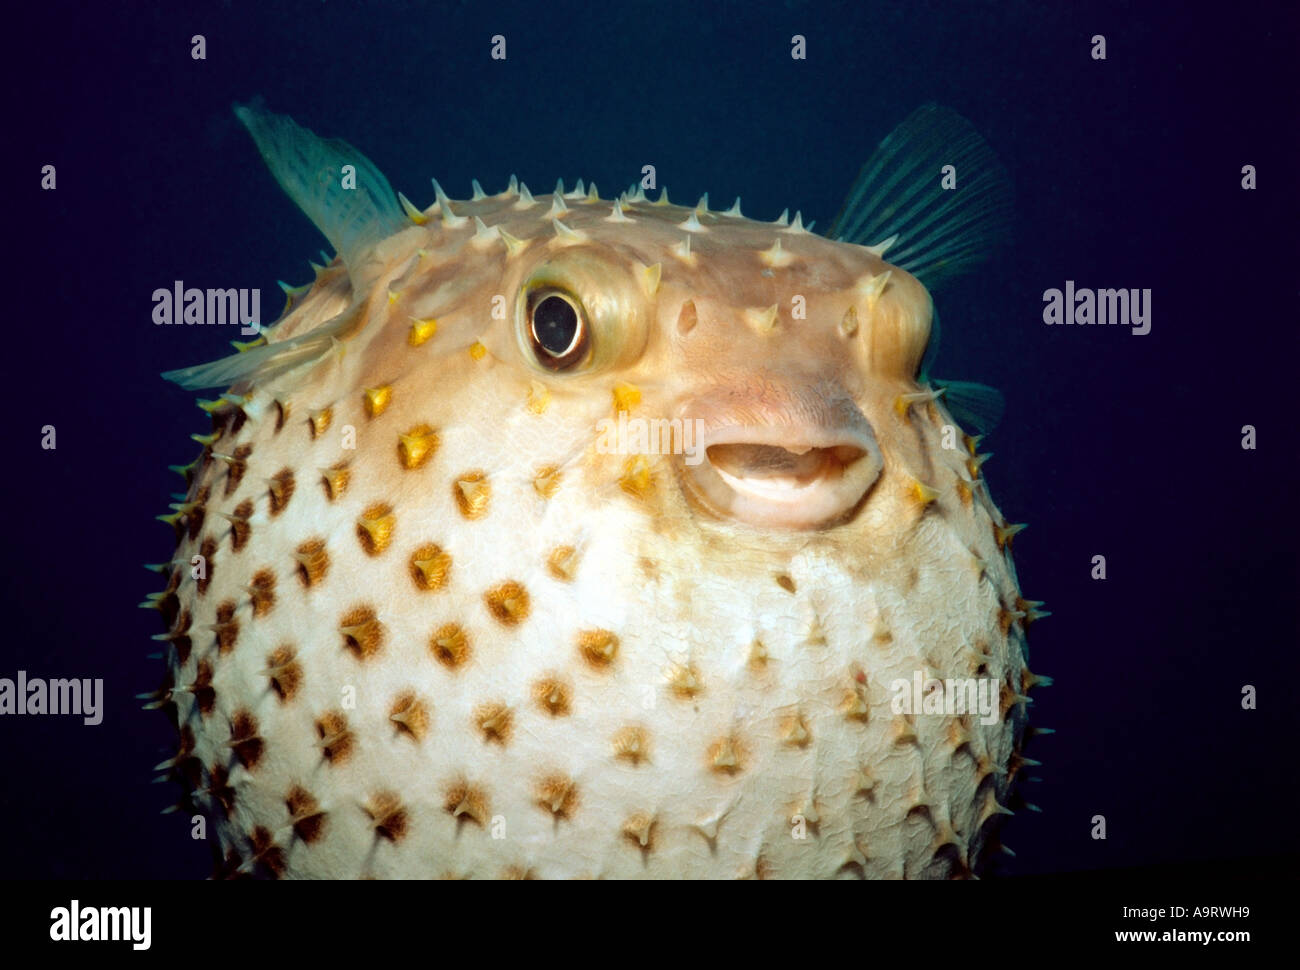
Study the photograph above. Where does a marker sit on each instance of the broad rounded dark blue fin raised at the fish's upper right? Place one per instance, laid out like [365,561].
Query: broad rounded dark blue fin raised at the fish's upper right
[942,232]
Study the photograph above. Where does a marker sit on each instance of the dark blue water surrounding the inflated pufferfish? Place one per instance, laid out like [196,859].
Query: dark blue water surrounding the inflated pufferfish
[1128,174]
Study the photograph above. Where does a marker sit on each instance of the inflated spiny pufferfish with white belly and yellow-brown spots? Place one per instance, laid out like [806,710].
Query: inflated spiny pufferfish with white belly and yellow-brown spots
[562,538]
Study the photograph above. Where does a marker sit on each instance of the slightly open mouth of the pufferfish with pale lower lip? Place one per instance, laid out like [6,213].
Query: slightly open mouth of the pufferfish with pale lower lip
[783,477]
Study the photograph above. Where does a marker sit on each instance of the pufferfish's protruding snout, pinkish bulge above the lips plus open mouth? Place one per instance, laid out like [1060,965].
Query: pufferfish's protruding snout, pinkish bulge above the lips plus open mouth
[794,464]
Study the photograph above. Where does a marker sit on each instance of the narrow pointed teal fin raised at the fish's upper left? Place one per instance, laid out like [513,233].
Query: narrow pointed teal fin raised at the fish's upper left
[311,171]
